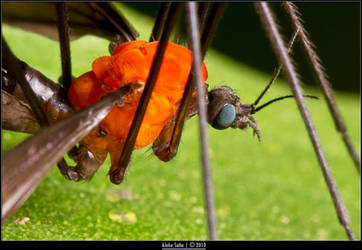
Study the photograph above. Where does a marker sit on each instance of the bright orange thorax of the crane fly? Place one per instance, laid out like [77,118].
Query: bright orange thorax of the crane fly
[131,63]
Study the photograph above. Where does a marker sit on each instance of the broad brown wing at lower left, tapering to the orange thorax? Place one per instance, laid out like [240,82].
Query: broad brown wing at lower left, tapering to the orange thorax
[20,177]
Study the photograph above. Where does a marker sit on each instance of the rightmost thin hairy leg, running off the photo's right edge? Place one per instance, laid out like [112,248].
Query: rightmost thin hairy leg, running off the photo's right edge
[295,17]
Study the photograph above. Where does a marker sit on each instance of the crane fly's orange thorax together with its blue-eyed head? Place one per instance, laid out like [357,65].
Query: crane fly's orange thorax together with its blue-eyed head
[130,63]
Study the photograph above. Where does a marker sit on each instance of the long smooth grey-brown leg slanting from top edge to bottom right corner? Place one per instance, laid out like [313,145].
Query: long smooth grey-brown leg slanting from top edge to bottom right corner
[267,20]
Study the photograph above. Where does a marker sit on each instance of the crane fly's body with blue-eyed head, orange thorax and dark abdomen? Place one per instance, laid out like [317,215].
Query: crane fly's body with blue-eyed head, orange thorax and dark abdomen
[130,63]
